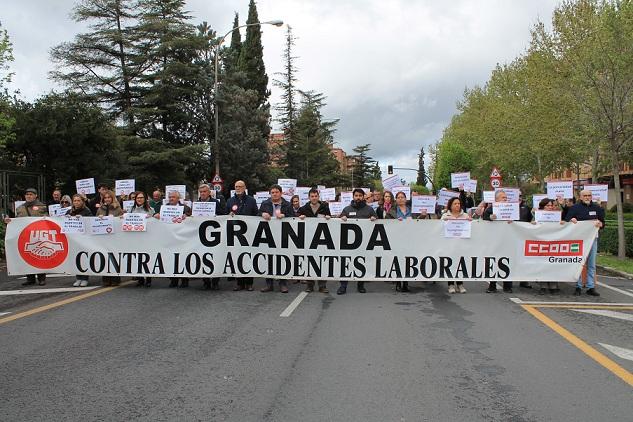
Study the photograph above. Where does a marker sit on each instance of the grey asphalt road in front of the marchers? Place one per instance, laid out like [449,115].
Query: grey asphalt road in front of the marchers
[186,354]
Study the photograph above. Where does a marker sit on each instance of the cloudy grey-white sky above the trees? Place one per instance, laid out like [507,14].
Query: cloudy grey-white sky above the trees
[392,70]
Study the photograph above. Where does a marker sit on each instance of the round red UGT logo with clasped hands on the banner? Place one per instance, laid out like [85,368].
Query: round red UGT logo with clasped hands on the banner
[42,245]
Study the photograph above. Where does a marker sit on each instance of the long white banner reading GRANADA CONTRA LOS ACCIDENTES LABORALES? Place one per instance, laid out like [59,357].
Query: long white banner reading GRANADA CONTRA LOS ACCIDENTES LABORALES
[311,249]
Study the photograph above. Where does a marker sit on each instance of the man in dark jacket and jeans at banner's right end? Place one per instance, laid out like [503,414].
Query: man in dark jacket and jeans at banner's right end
[587,210]
